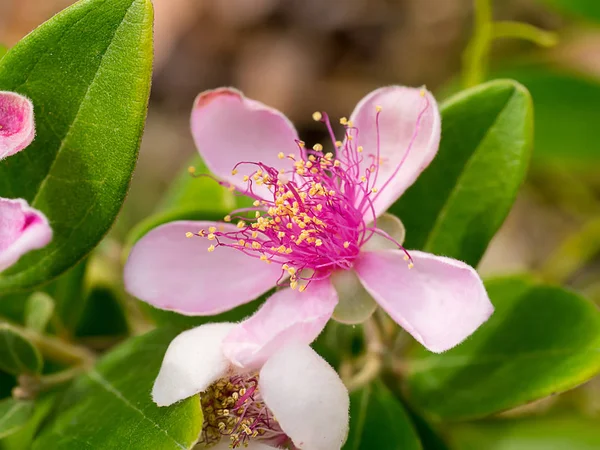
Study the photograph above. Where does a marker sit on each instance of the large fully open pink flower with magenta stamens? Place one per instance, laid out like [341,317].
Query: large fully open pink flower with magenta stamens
[317,225]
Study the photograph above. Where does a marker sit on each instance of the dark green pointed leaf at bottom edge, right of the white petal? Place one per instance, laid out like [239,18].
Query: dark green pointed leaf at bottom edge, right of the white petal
[378,420]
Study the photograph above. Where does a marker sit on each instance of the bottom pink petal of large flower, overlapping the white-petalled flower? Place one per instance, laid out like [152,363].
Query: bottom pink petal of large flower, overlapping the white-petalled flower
[287,316]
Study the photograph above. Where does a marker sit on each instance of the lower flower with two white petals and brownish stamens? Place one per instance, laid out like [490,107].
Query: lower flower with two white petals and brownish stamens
[295,400]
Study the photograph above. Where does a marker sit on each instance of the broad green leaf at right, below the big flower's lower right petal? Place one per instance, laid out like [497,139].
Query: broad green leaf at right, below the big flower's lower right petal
[540,340]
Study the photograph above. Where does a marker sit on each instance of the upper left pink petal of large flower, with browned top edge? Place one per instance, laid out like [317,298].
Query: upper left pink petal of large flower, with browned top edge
[229,128]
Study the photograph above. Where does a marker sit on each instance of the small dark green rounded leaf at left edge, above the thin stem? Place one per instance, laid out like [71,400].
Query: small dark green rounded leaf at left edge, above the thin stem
[17,354]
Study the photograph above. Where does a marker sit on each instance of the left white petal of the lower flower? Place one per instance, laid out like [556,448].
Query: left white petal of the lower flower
[192,363]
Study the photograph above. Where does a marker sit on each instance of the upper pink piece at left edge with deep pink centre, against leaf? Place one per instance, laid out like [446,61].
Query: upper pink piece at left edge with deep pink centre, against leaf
[17,127]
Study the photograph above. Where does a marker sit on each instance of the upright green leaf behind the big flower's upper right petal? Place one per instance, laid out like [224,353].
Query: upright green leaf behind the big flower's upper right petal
[459,202]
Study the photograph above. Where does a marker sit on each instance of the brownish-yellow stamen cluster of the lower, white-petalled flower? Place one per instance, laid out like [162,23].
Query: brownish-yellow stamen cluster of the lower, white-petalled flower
[234,408]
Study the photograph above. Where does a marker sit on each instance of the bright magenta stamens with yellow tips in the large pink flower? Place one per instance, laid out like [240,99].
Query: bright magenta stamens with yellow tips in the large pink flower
[313,218]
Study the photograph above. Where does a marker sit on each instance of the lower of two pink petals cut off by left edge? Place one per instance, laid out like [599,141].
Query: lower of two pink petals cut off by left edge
[22,229]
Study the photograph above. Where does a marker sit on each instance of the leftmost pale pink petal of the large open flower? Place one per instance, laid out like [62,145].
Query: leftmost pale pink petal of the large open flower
[173,272]
